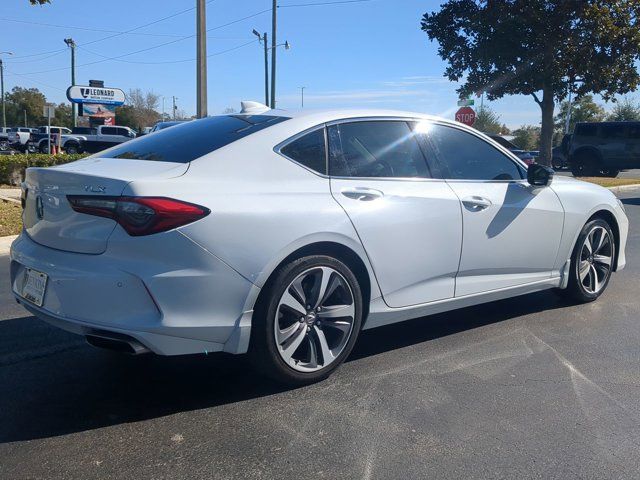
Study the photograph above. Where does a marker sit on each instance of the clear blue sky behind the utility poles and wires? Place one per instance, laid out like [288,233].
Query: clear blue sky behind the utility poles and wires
[368,54]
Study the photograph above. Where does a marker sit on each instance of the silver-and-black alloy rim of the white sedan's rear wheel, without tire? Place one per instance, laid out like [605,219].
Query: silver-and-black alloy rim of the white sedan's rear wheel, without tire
[314,319]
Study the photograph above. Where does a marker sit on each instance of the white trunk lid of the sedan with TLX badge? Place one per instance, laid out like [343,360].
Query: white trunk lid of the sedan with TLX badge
[48,217]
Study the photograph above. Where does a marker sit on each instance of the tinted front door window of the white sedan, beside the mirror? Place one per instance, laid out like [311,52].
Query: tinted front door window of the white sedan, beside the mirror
[467,157]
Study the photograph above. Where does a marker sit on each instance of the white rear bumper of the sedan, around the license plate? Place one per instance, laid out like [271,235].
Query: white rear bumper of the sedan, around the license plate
[166,292]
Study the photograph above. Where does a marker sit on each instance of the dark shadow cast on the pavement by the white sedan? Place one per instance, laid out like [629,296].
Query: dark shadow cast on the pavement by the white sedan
[54,384]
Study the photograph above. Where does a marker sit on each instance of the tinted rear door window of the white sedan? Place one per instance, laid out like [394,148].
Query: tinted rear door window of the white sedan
[375,149]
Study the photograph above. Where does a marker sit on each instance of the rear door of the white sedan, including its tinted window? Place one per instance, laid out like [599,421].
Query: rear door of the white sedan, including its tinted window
[410,223]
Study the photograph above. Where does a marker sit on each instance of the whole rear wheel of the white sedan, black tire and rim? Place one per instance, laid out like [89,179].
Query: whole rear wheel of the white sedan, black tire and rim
[307,321]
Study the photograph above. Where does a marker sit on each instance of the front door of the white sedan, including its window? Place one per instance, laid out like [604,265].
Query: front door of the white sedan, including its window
[512,230]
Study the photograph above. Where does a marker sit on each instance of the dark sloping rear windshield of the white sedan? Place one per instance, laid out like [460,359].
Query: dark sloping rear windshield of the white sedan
[191,140]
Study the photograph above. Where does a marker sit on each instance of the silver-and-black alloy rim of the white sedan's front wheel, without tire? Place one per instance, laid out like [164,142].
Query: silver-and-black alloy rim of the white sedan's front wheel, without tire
[596,258]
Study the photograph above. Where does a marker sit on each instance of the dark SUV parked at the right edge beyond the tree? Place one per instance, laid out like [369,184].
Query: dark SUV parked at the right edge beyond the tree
[603,149]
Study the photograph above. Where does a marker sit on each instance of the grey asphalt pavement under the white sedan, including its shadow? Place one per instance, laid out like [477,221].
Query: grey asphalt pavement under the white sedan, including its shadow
[531,387]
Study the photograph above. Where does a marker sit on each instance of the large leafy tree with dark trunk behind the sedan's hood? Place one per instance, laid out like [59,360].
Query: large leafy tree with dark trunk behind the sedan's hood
[534,47]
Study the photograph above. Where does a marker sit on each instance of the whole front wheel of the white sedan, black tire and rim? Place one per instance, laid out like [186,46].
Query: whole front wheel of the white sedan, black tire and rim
[591,262]
